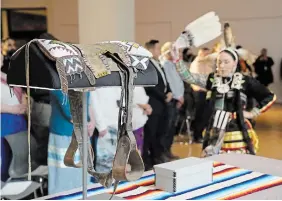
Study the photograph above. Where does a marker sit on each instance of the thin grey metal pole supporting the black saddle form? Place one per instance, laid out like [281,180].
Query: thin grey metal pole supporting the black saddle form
[84,146]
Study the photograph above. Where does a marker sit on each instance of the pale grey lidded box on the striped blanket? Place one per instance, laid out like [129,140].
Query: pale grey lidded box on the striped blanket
[183,174]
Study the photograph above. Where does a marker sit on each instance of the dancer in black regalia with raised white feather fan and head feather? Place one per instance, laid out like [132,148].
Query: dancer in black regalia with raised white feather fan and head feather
[229,129]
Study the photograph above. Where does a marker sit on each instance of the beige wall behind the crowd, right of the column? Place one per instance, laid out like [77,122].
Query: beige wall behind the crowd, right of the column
[256,24]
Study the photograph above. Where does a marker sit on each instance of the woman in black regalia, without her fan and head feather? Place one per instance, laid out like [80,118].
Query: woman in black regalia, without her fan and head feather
[228,129]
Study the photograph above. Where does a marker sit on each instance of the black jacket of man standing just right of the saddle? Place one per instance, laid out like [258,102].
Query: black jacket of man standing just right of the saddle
[157,94]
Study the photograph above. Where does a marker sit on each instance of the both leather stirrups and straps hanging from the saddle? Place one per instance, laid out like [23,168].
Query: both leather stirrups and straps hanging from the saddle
[126,153]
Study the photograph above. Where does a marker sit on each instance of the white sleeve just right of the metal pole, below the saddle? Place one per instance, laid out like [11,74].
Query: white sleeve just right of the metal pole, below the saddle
[98,111]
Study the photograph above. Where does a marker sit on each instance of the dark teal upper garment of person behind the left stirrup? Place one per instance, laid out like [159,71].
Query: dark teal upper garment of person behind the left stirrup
[60,120]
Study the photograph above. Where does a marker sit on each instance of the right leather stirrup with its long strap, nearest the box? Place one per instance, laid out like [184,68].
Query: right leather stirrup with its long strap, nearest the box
[127,155]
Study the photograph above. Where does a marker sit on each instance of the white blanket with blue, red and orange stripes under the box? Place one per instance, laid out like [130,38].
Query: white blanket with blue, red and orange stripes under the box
[229,182]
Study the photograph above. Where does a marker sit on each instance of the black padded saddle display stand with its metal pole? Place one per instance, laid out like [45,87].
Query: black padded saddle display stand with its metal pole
[22,63]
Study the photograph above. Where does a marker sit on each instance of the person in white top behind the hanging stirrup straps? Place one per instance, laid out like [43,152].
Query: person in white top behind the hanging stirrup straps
[106,109]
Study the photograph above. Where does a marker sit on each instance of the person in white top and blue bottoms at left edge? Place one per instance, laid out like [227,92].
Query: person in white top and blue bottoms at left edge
[13,122]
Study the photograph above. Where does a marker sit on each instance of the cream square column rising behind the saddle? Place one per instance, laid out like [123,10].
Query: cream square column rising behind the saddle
[103,20]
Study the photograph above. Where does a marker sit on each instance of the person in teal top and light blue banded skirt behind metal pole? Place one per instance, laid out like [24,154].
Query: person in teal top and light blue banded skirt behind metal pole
[62,178]
